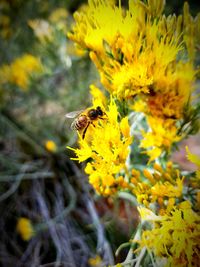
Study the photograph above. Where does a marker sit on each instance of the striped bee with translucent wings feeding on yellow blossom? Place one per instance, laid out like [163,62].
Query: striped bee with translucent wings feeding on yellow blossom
[83,119]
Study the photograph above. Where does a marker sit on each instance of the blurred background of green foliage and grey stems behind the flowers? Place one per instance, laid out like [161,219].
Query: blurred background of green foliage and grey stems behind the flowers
[50,215]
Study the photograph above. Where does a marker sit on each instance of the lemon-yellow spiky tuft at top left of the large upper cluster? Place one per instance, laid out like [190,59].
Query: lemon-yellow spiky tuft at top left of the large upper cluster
[95,23]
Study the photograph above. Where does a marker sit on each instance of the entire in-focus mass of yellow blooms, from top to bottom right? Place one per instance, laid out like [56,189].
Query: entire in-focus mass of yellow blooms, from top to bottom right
[146,62]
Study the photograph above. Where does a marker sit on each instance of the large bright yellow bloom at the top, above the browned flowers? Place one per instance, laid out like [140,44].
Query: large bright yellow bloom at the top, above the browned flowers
[137,51]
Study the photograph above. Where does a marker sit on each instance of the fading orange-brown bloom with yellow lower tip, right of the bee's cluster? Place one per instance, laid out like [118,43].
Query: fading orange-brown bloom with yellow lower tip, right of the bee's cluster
[165,108]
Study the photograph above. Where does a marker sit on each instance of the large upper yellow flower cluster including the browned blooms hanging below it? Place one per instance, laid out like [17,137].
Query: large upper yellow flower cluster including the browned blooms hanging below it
[141,52]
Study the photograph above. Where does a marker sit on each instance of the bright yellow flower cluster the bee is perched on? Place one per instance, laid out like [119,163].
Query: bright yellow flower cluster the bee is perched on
[106,144]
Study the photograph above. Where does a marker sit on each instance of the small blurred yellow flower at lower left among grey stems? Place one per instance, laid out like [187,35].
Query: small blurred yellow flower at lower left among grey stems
[25,228]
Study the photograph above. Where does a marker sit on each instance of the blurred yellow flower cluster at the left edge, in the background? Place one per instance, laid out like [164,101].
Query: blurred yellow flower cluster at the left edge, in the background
[20,71]
